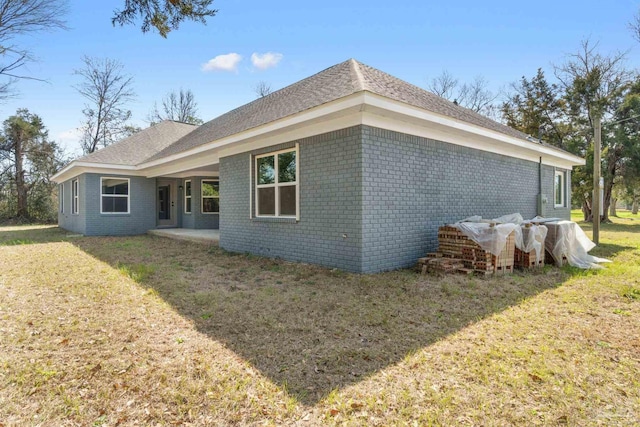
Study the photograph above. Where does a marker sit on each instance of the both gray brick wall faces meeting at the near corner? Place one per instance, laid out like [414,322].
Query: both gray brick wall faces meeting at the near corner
[386,192]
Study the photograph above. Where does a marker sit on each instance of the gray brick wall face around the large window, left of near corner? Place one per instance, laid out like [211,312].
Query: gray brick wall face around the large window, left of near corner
[329,230]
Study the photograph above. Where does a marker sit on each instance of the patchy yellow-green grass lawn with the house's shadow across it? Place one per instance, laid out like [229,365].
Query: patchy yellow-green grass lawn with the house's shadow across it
[144,331]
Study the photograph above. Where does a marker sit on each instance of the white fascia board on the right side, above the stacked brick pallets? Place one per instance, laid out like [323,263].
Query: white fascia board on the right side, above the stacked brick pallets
[385,106]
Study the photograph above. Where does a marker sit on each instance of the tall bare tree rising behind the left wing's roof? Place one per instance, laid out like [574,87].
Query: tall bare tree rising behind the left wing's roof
[107,91]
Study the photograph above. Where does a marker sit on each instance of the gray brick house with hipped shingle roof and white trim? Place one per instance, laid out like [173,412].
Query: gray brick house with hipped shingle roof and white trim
[350,168]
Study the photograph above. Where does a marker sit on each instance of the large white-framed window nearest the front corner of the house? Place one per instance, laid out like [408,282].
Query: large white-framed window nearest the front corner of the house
[277,184]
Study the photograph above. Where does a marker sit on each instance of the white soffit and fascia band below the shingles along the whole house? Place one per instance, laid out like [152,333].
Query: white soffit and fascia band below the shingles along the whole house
[360,108]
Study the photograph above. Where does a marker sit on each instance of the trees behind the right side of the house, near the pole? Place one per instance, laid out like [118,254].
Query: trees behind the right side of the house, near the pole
[561,113]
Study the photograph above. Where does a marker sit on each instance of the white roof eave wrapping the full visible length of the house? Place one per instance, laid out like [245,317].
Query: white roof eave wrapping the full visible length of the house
[362,102]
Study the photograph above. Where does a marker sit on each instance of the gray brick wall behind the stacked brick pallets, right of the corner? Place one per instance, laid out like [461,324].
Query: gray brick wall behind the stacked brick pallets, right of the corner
[413,185]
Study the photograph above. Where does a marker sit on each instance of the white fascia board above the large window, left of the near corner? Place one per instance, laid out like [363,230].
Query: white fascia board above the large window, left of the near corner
[299,119]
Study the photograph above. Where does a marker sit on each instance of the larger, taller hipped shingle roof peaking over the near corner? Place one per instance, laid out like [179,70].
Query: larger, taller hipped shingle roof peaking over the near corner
[336,82]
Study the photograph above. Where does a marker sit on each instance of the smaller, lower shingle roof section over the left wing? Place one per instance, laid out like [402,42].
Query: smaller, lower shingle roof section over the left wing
[140,146]
